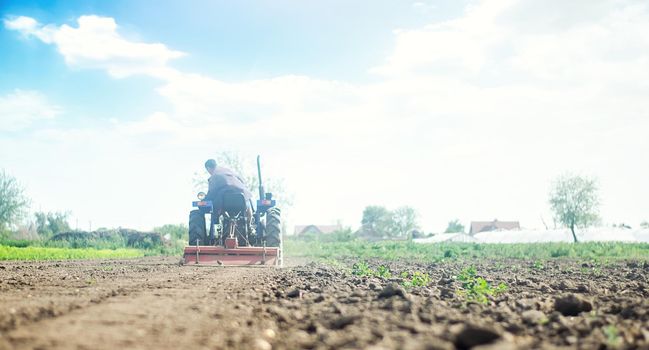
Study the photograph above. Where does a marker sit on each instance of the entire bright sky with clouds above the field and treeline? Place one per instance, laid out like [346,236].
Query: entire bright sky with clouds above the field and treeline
[460,109]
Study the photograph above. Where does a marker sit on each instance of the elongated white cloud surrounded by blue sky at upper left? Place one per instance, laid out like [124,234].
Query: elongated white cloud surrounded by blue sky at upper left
[95,43]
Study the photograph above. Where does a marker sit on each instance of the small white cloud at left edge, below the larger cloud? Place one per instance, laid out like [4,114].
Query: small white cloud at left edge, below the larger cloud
[20,109]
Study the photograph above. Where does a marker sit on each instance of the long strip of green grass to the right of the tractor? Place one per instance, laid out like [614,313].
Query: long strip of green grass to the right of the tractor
[392,250]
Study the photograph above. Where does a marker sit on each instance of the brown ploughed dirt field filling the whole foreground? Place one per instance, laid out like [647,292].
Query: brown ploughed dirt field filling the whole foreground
[155,303]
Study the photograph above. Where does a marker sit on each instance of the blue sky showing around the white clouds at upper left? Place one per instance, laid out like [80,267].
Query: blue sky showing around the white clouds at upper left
[230,40]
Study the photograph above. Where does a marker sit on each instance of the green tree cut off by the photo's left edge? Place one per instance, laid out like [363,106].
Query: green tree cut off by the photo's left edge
[13,201]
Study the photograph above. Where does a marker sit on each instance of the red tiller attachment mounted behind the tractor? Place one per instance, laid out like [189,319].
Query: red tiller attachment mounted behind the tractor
[237,256]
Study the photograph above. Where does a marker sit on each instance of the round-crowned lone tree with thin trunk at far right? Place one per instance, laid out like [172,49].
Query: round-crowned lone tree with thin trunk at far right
[574,201]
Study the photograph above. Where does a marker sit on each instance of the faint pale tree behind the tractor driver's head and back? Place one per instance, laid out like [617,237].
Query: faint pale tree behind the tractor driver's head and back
[246,167]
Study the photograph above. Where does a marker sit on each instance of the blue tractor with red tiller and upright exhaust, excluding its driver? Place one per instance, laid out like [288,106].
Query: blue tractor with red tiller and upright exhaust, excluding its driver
[230,235]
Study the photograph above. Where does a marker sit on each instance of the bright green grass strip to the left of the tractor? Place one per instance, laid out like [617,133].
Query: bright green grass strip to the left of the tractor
[47,253]
